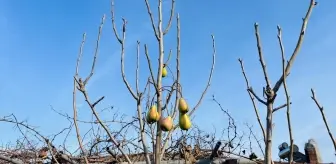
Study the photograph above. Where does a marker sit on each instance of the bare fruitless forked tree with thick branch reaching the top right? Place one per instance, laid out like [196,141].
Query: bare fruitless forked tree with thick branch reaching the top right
[269,91]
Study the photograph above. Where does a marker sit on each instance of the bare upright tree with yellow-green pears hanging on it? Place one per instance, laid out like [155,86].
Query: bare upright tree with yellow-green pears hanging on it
[161,102]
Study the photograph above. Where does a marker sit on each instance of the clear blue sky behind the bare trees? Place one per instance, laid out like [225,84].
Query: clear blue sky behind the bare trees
[40,39]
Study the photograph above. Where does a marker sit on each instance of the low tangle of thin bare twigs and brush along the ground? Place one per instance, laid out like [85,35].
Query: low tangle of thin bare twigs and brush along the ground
[190,146]
